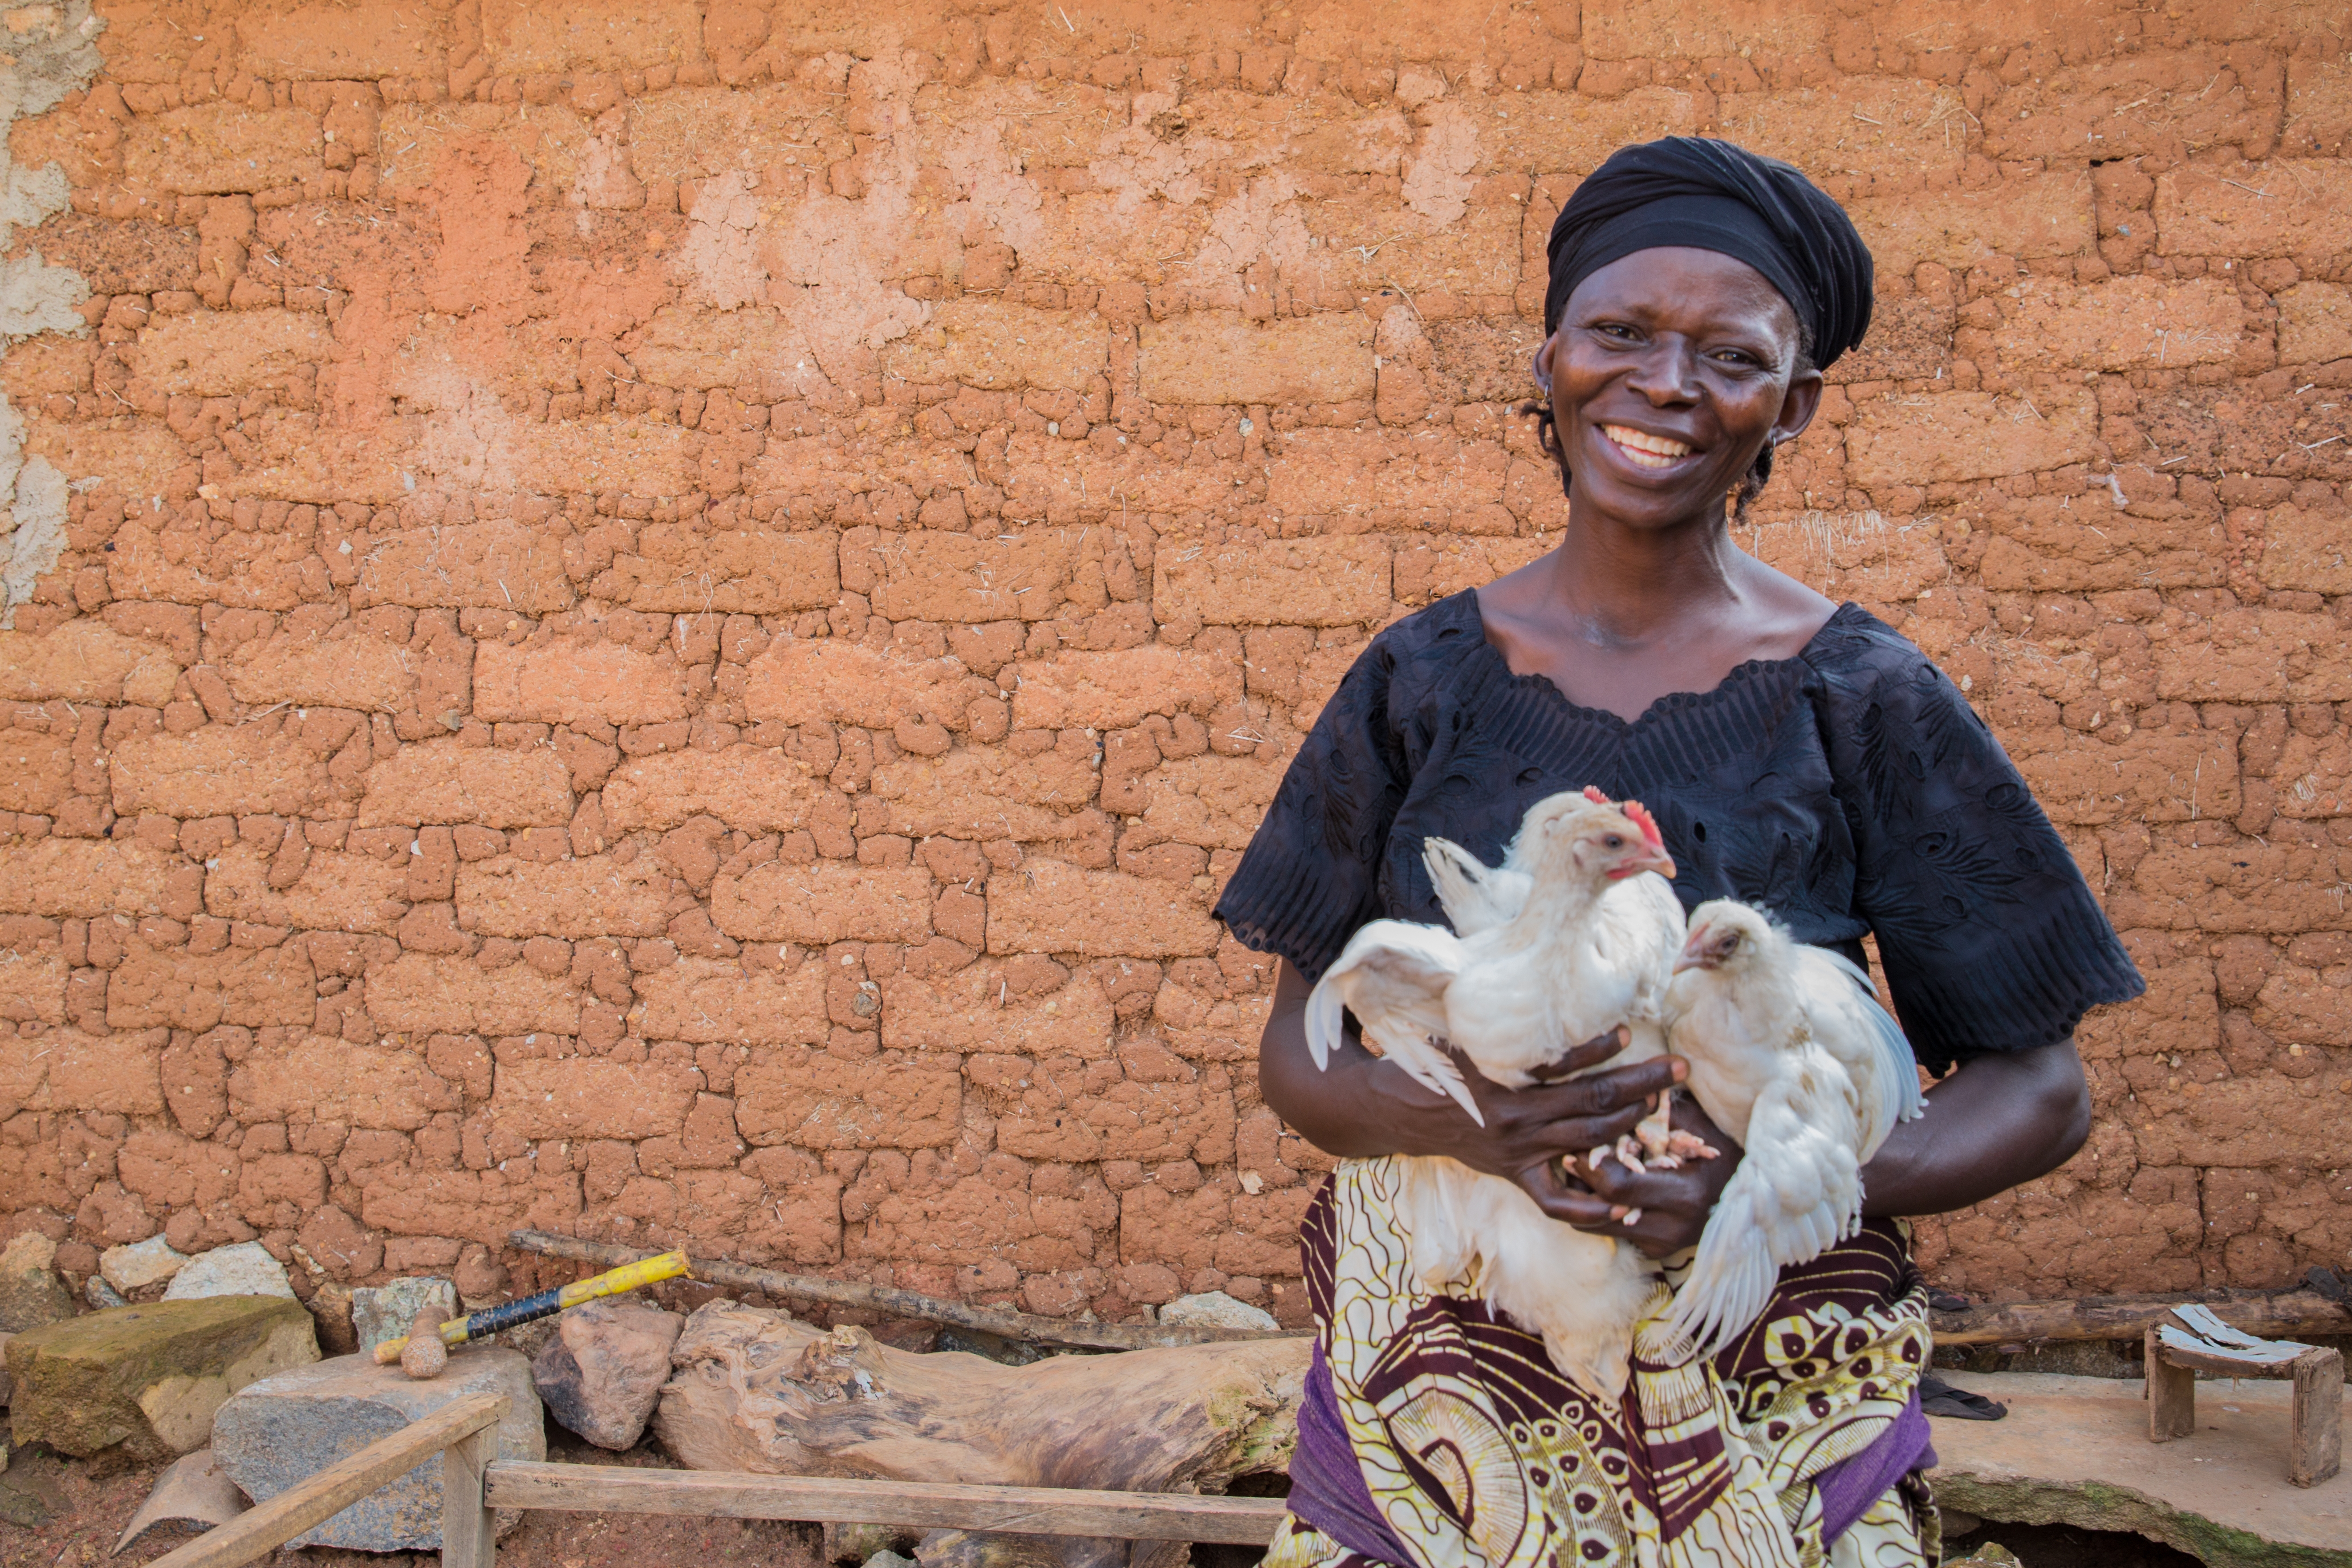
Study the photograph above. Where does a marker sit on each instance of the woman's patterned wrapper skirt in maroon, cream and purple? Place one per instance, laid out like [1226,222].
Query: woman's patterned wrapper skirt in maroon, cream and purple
[1438,1433]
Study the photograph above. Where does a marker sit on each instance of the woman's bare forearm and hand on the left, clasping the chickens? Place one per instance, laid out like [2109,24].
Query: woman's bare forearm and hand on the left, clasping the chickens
[1363,1106]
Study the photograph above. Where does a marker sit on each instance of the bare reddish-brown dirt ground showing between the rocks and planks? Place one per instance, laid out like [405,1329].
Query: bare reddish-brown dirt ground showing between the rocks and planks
[86,1506]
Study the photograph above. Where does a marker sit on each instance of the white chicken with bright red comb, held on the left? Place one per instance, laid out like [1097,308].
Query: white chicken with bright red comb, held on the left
[1582,949]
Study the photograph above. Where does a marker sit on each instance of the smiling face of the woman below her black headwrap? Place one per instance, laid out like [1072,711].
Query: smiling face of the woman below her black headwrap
[1671,370]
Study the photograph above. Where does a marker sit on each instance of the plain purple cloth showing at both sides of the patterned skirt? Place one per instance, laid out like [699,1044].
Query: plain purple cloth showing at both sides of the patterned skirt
[1330,1494]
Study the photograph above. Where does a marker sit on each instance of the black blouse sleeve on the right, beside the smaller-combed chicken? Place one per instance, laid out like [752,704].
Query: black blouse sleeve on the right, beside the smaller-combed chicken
[1986,930]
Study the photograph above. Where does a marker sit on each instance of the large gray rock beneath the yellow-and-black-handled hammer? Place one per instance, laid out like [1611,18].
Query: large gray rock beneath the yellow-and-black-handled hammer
[295,1426]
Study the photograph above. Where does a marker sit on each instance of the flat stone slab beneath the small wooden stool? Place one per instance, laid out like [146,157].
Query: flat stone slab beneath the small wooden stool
[2076,1452]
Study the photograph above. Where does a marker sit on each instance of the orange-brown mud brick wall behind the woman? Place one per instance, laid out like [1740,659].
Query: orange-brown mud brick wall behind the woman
[664,617]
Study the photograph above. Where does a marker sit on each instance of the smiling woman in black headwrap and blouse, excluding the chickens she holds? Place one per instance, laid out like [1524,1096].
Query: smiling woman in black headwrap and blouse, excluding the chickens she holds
[1798,756]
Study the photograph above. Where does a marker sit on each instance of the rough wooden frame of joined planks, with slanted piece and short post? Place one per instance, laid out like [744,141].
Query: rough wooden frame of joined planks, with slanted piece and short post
[476,1482]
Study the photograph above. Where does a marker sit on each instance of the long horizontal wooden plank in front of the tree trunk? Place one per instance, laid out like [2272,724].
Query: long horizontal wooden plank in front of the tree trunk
[1015,1510]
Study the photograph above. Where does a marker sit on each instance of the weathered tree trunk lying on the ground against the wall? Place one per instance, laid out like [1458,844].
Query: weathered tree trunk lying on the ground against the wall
[759,1391]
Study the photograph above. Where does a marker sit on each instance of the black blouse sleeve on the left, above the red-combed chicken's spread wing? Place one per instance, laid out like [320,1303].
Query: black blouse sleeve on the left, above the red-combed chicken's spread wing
[1311,873]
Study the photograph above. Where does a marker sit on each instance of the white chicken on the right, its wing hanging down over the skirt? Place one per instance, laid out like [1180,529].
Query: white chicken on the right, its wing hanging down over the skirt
[1796,1059]
